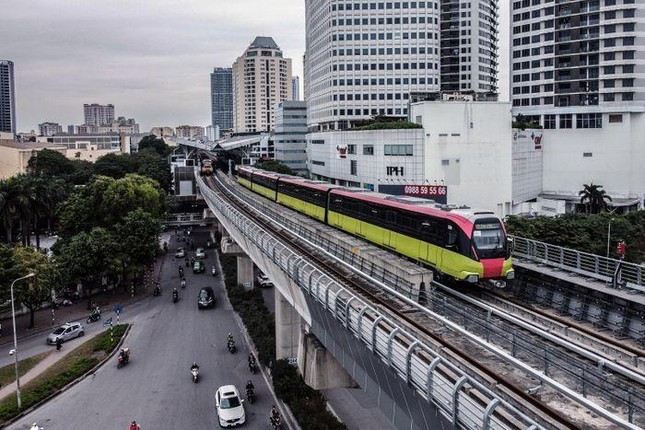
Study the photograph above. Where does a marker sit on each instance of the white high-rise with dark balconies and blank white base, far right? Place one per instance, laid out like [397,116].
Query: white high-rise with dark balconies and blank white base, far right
[577,70]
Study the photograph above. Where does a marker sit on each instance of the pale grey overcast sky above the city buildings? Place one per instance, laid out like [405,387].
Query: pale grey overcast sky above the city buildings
[151,59]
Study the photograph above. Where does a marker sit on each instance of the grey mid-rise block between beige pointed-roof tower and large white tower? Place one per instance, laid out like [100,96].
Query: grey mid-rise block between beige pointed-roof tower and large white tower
[290,143]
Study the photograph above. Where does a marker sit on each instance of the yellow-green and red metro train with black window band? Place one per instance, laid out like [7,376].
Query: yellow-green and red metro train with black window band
[463,244]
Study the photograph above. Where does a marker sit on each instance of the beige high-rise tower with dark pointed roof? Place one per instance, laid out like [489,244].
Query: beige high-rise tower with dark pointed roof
[261,78]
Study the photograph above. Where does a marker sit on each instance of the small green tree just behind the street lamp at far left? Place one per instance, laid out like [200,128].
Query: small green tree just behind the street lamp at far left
[33,292]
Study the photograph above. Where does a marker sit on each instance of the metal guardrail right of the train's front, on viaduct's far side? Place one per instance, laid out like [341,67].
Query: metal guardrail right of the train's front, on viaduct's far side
[604,269]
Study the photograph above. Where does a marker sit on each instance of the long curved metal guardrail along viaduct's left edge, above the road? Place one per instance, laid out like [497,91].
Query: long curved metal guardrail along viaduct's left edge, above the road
[461,399]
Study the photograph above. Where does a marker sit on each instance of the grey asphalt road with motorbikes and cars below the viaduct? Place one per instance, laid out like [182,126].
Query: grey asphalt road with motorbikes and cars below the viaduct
[155,388]
